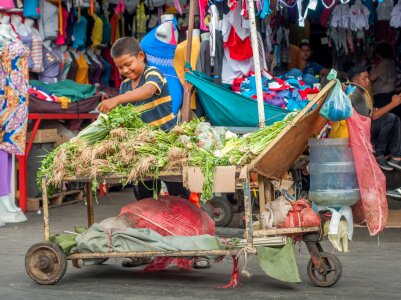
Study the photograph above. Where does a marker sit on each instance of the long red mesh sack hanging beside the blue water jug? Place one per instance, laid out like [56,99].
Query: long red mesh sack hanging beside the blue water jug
[373,207]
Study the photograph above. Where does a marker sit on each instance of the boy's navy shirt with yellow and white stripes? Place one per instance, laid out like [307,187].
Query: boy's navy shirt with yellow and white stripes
[157,110]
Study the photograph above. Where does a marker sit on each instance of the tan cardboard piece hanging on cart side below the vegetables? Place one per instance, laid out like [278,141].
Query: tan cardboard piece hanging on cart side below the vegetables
[224,179]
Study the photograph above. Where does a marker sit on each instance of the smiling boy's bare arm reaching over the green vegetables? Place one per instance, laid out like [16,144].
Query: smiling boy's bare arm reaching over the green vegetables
[142,93]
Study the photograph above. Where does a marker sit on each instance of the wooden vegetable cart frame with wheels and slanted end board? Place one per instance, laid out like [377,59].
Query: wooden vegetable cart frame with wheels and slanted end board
[45,262]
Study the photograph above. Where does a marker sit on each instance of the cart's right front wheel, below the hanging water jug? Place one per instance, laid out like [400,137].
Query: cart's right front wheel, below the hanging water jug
[328,278]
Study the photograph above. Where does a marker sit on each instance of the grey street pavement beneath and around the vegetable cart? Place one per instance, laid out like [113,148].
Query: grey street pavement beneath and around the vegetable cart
[370,271]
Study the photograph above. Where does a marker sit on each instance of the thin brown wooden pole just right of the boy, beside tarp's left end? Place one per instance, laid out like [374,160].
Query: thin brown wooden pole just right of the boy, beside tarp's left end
[187,85]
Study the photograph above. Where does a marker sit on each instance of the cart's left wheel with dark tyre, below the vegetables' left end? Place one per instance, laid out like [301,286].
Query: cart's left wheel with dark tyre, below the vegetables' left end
[45,263]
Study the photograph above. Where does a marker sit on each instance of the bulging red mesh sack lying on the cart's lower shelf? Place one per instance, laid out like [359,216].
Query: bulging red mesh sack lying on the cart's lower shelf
[169,216]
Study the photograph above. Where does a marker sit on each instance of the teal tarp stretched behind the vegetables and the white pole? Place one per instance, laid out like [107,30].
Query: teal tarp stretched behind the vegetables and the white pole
[224,107]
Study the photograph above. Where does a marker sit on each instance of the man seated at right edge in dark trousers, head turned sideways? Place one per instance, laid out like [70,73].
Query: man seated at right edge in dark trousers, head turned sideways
[386,127]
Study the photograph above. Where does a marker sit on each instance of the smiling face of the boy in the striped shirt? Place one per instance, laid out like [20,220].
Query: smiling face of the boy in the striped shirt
[130,66]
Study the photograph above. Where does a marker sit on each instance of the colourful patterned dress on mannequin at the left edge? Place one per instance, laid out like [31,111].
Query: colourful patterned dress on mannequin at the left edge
[13,101]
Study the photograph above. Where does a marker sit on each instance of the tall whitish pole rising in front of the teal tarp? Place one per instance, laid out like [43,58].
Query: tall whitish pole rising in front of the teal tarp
[256,62]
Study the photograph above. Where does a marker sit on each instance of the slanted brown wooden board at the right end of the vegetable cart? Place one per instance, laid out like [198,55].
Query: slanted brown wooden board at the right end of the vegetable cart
[285,149]
